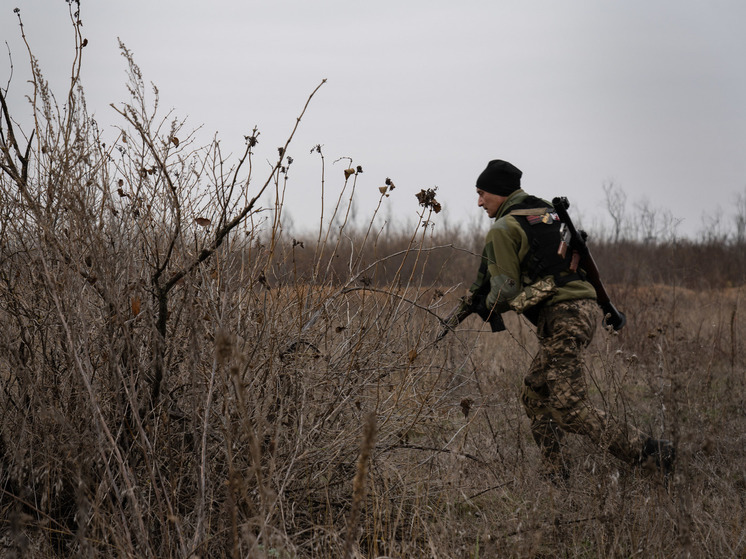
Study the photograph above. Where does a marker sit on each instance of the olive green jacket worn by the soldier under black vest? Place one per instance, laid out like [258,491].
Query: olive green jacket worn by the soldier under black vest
[505,248]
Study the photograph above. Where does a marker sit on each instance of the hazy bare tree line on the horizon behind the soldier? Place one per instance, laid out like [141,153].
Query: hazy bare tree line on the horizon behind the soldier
[641,246]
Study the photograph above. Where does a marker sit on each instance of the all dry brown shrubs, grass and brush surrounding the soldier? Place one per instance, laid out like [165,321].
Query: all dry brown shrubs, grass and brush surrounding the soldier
[182,380]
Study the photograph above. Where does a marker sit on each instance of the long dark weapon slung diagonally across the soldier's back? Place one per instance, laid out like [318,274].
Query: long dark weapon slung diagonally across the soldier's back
[576,240]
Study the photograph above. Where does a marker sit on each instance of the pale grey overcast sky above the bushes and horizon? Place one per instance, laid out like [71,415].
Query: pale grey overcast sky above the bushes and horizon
[648,94]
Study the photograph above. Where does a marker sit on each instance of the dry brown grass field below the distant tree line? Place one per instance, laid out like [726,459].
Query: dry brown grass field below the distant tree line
[253,448]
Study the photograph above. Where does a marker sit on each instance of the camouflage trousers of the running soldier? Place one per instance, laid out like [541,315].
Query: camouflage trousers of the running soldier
[554,391]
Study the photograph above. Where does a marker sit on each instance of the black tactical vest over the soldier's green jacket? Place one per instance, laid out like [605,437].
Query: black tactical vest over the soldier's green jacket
[542,227]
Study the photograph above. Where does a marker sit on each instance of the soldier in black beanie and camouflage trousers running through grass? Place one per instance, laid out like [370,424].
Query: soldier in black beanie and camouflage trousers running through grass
[523,270]
